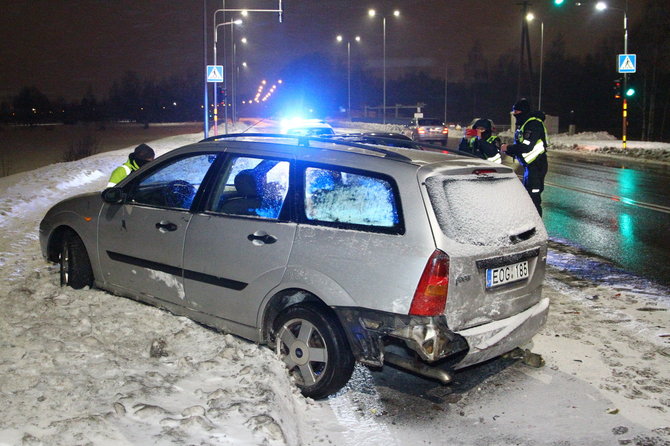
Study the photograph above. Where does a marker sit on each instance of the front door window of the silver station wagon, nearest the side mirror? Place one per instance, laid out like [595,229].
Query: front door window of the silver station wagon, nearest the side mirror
[173,185]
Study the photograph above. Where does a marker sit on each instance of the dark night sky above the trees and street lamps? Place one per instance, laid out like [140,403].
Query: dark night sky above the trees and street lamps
[64,46]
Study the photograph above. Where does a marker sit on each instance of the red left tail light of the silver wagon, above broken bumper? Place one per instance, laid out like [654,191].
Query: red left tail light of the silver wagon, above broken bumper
[430,296]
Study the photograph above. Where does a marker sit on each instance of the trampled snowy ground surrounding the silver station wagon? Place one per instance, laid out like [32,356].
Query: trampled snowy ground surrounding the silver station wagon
[78,367]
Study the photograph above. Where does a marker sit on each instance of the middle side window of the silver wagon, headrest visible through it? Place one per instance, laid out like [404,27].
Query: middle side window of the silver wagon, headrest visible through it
[252,186]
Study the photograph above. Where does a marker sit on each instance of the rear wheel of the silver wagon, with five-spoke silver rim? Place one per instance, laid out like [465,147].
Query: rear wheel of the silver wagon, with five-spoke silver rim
[313,346]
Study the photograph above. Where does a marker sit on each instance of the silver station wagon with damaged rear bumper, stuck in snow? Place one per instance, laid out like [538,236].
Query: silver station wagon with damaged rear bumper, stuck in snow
[329,251]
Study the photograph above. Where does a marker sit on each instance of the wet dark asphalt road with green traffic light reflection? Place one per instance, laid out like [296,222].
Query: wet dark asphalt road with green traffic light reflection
[618,210]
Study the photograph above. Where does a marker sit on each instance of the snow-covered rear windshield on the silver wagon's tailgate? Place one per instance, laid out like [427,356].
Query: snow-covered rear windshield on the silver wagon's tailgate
[479,210]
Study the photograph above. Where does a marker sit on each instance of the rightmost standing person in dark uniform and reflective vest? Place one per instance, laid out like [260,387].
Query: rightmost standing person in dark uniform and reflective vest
[530,149]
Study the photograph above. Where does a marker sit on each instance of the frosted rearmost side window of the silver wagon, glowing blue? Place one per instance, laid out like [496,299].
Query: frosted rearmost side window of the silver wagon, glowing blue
[346,198]
